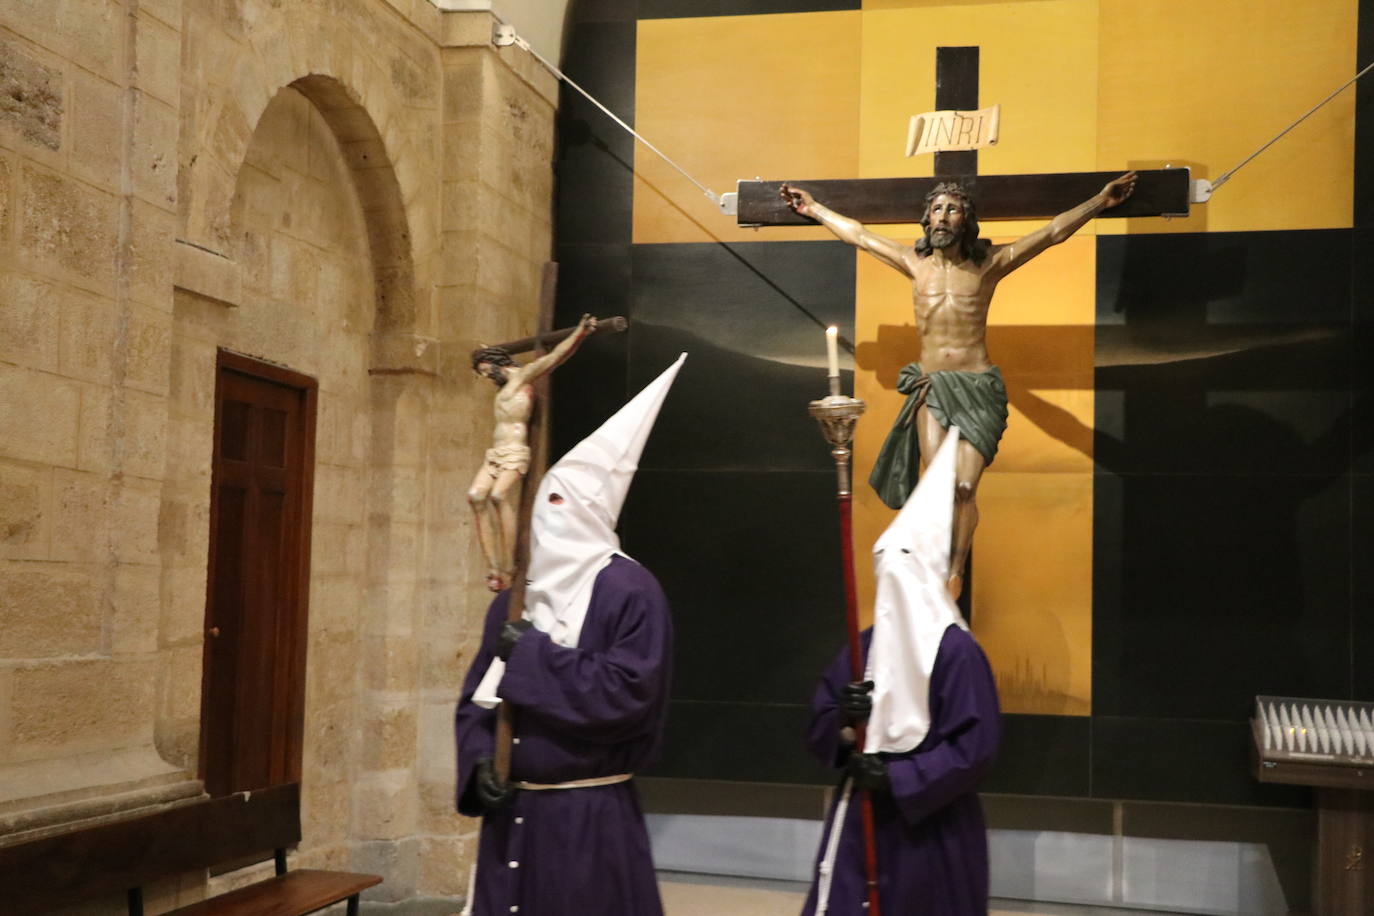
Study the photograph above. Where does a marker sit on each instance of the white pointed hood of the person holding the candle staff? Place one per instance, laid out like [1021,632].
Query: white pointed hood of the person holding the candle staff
[913,608]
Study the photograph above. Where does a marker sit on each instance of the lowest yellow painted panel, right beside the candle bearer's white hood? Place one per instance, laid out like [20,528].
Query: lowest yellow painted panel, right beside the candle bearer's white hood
[1033,590]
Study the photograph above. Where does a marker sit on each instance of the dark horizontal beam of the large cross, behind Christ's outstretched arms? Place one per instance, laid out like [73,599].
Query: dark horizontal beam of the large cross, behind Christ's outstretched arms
[997,197]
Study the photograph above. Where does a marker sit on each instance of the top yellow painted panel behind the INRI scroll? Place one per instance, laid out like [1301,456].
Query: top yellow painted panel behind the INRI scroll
[1038,61]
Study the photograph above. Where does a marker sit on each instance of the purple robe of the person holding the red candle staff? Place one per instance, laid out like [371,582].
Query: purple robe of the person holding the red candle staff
[931,838]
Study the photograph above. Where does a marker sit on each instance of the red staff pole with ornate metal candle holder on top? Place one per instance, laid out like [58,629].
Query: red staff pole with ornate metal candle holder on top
[837,417]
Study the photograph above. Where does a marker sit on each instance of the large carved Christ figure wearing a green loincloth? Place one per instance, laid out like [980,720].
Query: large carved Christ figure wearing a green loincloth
[954,275]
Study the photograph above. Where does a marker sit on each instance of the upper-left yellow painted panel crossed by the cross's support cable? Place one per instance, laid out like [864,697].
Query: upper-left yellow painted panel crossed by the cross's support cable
[740,98]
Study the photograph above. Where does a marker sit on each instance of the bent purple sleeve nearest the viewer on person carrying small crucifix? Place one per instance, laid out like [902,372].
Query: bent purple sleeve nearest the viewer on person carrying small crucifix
[608,696]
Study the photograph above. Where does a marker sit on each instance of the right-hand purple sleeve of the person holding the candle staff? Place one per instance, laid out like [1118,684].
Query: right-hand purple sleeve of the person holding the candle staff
[969,724]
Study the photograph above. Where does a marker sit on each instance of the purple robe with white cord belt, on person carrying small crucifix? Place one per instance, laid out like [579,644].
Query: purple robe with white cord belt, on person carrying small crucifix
[581,713]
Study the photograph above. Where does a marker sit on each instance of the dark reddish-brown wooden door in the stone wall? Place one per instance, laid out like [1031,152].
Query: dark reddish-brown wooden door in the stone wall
[254,698]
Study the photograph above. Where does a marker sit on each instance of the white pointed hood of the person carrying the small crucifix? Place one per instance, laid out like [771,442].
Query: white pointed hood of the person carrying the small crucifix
[574,538]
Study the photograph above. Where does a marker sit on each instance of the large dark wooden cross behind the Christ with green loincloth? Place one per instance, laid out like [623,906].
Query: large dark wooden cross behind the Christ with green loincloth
[1000,197]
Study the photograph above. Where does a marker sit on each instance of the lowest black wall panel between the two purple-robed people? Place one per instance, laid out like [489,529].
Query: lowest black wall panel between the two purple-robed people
[750,742]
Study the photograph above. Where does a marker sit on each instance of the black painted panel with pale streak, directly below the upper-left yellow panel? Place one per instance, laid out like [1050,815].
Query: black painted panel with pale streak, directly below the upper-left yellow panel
[741,399]
